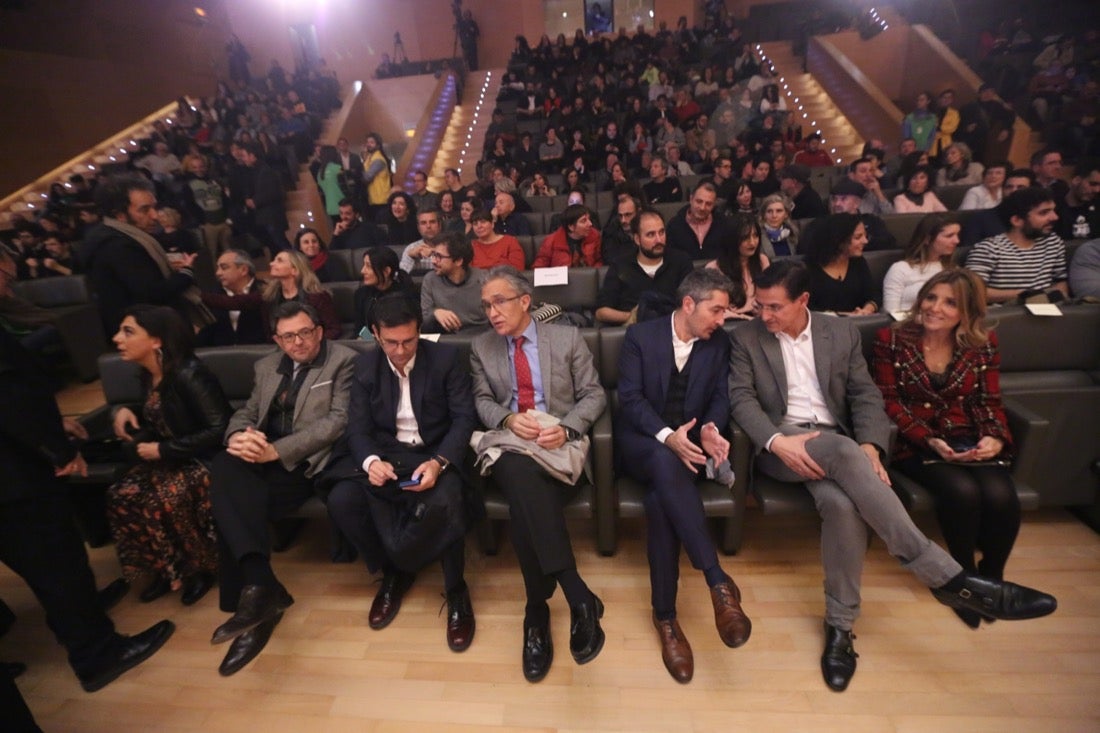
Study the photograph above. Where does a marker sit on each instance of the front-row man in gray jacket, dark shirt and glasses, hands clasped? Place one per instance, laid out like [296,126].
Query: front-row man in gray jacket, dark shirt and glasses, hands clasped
[277,444]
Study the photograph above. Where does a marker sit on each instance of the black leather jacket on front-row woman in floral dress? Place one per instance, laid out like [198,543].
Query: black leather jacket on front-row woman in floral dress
[200,415]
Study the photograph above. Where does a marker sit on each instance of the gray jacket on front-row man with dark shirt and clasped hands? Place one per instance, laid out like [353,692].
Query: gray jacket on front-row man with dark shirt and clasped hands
[321,413]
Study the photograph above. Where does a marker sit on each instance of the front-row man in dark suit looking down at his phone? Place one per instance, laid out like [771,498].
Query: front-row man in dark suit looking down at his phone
[411,419]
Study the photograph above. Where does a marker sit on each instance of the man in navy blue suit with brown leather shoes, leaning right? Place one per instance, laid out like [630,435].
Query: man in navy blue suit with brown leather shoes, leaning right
[674,410]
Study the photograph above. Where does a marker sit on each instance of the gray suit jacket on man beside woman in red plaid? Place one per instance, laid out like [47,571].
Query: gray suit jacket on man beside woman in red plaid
[758,382]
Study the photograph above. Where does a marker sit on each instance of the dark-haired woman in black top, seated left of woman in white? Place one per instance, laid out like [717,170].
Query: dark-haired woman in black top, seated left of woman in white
[840,279]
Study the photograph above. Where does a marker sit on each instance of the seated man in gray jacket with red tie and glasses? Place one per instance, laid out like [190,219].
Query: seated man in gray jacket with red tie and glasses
[524,374]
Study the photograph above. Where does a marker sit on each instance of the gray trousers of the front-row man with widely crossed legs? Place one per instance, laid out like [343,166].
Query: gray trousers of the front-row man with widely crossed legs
[850,500]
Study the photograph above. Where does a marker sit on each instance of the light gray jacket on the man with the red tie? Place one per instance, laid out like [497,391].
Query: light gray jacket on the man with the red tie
[570,381]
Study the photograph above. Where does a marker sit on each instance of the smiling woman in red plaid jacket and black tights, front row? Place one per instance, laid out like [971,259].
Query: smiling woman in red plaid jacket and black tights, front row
[939,371]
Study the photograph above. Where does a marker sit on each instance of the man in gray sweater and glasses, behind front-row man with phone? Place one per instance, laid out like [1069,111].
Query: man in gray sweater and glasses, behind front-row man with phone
[450,296]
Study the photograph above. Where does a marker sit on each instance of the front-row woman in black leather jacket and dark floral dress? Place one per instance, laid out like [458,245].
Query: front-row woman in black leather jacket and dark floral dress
[160,511]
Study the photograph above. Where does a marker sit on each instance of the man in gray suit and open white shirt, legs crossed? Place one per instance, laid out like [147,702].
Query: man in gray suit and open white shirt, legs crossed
[800,388]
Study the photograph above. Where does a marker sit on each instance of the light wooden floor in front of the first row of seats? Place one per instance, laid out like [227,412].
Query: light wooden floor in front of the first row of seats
[920,670]
